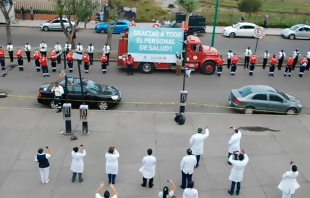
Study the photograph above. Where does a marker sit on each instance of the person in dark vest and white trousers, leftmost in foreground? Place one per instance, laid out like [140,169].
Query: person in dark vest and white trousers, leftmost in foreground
[44,165]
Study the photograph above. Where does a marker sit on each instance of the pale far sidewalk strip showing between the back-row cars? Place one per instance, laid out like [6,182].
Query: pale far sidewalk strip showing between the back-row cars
[91,26]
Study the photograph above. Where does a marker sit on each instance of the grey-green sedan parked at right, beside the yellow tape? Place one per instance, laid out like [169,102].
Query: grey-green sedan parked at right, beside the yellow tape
[265,99]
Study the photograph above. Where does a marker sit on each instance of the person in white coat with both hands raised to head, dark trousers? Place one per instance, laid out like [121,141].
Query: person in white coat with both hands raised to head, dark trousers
[236,173]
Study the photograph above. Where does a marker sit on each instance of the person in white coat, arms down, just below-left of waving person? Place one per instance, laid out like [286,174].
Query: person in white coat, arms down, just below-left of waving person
[187,167]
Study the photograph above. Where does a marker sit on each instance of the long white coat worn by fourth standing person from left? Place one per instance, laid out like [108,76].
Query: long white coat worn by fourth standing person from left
[148,167]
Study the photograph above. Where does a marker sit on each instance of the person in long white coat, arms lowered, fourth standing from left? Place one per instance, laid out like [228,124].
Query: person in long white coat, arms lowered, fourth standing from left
[148,168]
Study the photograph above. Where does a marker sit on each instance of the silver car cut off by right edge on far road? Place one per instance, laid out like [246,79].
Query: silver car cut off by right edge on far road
[299,31]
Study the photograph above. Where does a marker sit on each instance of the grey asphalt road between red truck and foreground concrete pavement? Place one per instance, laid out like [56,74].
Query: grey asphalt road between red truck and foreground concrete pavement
[161,86]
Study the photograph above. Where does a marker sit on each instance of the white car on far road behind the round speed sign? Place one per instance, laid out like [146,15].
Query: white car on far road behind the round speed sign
[241,29]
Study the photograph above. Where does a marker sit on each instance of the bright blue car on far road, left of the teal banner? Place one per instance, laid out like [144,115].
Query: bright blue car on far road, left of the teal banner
[119,28]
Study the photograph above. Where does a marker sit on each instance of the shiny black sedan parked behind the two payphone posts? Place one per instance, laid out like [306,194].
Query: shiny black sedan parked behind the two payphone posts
[95,95]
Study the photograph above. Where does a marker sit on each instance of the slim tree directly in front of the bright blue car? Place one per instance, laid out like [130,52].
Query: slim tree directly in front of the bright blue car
[114,14]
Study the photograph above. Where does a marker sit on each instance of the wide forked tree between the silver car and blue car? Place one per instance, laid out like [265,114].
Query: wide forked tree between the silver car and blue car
[76,11]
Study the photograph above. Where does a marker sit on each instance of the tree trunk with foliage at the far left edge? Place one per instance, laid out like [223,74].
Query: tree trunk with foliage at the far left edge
[6,7]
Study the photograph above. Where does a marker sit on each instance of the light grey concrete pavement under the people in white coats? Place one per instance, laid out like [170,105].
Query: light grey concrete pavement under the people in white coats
[132,133]
